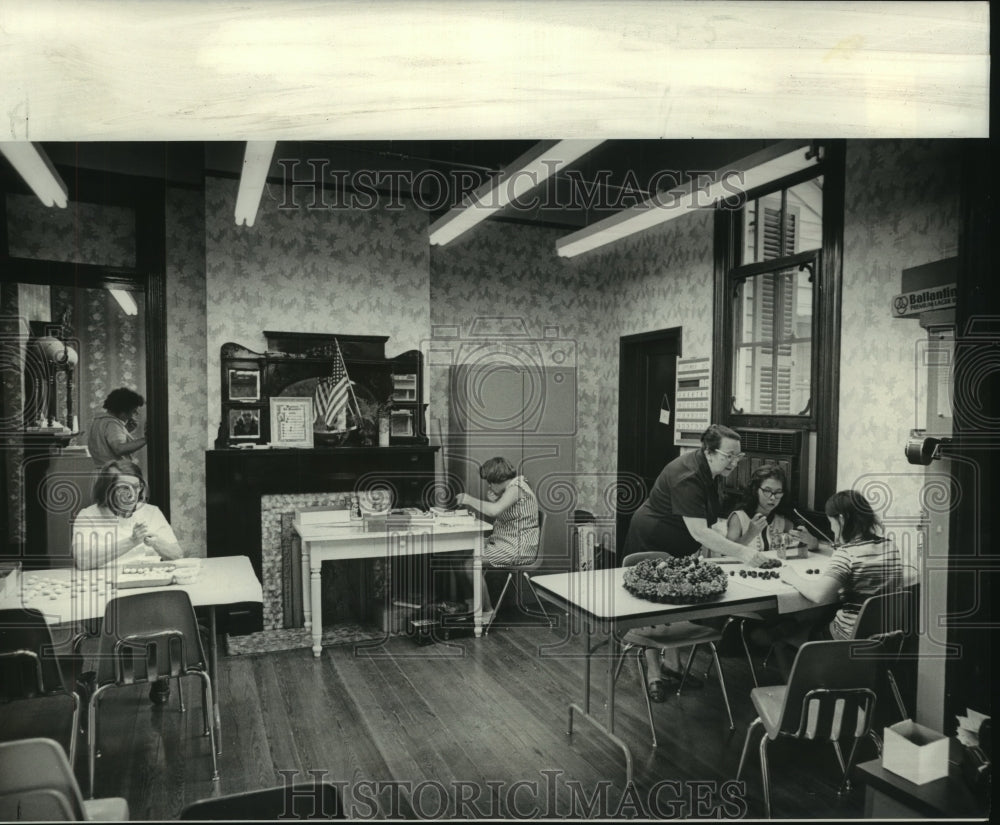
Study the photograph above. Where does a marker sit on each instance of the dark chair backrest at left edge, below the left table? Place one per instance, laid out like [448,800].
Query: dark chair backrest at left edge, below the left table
[28,664]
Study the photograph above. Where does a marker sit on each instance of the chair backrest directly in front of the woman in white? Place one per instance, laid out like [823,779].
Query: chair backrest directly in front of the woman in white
[146,636]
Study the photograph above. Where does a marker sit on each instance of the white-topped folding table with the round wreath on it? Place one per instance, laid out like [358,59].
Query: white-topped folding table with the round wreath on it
[598,600]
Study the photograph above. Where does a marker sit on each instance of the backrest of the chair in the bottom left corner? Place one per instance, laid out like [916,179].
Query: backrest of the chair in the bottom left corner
[36,782]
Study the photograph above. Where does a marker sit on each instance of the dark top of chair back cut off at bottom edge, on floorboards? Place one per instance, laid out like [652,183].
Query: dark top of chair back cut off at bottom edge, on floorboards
[317,800]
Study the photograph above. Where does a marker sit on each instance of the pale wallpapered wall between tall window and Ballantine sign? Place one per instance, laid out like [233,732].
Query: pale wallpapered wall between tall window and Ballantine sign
[901,210]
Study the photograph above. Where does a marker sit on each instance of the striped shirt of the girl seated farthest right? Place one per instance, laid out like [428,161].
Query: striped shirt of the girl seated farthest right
[862,570]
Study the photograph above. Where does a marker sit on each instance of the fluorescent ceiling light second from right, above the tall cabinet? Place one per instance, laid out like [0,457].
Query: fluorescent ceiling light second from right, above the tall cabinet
[523,175]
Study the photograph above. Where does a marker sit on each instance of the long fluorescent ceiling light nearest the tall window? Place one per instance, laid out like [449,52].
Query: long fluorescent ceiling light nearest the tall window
[770,164]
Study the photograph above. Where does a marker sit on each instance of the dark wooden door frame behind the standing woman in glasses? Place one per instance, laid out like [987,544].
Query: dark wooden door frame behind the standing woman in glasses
[630,390]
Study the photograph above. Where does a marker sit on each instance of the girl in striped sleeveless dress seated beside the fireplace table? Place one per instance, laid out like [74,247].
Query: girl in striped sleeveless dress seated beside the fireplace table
[511,505]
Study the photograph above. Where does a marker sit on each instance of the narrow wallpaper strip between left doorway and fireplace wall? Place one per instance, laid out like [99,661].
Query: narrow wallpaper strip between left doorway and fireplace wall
[186,364]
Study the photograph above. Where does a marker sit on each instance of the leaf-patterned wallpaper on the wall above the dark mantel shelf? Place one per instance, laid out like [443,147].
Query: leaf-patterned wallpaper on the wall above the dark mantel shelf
[356,271]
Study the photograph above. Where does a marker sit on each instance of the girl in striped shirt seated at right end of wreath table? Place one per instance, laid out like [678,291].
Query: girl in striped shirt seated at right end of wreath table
[864,563]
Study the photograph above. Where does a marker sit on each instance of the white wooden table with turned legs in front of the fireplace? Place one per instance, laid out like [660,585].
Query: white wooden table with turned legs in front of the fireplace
[329,542]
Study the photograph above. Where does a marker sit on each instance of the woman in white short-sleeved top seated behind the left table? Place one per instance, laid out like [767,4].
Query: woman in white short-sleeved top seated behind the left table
[121,526]
